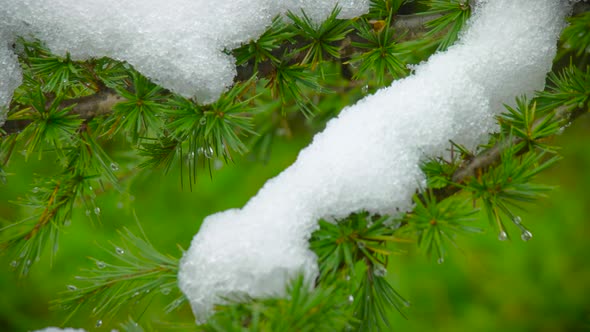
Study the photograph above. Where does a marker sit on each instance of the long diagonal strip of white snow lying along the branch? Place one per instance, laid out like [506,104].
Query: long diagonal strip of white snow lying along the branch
[368,158]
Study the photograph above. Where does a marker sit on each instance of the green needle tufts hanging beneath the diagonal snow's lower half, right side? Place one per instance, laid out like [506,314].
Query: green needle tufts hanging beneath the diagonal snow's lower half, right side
[357,249]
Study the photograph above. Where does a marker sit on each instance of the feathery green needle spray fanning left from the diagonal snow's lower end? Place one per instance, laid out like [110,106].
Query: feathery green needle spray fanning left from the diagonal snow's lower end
[135,272]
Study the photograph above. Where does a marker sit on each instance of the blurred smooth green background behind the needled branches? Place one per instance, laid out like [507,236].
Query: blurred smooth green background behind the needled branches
[486,285]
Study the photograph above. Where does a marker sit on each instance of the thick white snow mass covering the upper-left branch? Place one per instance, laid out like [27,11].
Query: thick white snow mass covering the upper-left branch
[179,44]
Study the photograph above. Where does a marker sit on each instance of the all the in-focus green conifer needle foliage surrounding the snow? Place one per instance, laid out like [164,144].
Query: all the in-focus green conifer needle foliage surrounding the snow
[291,69]
